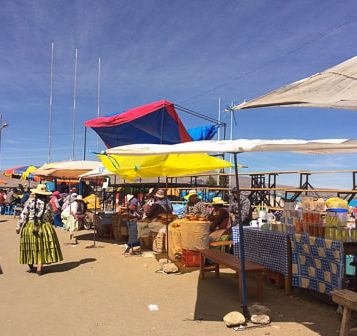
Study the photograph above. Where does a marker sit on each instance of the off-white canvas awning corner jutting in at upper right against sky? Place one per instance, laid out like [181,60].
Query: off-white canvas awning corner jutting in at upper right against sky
[335,87]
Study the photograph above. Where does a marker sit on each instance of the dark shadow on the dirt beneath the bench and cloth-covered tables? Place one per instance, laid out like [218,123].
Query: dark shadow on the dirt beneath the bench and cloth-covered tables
[218,296]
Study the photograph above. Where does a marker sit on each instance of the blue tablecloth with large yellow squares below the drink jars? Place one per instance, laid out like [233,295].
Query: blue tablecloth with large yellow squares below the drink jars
[317,263]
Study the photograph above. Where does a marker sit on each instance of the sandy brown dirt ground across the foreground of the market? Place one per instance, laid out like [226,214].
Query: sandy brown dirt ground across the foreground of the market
[98,291]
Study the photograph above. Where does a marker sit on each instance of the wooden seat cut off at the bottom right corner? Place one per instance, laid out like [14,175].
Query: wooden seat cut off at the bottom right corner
[347,299]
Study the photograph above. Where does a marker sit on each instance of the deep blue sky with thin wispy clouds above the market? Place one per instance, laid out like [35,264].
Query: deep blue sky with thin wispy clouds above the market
[189,52]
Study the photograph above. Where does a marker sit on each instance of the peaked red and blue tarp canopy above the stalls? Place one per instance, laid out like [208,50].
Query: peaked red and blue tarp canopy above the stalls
[156,123]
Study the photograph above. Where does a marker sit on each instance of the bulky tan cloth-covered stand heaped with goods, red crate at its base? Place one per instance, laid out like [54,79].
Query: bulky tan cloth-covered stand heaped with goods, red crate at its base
[186,236]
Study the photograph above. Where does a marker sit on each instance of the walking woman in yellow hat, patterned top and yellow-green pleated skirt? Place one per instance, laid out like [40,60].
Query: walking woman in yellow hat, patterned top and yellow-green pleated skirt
[38,240]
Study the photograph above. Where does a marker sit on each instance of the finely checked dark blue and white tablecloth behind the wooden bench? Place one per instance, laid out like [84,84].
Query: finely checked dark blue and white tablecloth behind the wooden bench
[268,248]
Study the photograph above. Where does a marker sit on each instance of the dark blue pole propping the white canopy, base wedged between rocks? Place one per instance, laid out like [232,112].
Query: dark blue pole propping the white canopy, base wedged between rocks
[241,242]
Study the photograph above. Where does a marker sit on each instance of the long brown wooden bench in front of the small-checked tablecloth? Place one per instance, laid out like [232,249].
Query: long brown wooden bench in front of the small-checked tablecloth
[219,257]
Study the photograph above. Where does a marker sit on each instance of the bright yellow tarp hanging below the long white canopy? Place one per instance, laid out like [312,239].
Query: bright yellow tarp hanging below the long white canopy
[132,167]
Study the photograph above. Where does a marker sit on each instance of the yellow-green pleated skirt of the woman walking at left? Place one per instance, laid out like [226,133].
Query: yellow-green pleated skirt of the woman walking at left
[40,248]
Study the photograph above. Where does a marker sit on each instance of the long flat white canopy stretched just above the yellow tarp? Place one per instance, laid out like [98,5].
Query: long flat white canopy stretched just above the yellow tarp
[321,146]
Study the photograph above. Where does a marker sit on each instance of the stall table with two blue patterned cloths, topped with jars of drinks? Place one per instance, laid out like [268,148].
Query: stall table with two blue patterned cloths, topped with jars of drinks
[321,240]
